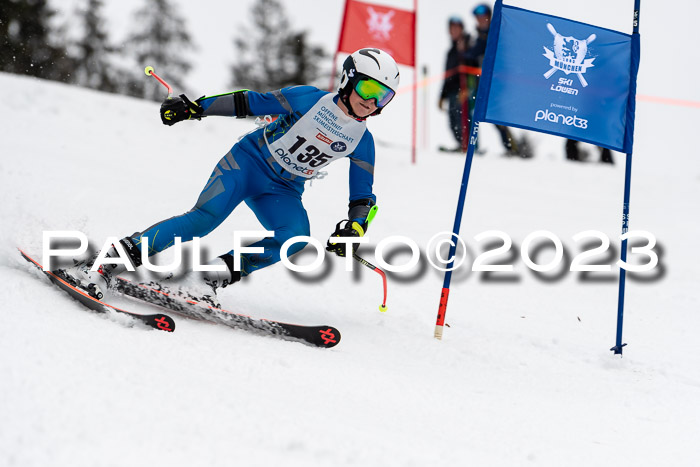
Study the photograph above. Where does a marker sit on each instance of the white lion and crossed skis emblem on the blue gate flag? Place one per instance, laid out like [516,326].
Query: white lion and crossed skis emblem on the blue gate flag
[569,55]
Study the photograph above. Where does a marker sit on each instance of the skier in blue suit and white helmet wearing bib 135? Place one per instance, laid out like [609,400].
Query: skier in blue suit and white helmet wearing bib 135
[267,170]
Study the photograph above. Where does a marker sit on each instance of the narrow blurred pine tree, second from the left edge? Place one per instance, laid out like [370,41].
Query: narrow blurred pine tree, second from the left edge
[93,68]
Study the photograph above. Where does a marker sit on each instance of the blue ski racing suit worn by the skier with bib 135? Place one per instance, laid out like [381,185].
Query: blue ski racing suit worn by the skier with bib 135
[268,172]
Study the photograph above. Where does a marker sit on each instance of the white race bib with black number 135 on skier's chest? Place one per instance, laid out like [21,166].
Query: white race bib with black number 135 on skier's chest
[319,137]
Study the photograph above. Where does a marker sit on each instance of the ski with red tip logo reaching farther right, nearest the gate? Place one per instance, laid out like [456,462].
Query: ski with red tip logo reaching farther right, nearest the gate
[154,294]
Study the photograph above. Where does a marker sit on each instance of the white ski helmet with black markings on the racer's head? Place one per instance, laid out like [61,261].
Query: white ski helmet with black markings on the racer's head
[367,65]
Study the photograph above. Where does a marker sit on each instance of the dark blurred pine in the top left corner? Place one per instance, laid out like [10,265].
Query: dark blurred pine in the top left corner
[27,45]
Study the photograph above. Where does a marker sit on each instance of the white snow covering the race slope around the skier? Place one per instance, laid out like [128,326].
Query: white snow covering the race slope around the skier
[523,375]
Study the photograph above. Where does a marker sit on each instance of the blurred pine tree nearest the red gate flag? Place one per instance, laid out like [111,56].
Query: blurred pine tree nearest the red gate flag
[273,56]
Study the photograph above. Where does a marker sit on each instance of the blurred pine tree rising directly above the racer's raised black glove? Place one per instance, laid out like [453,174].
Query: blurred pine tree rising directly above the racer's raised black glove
[159,39]
